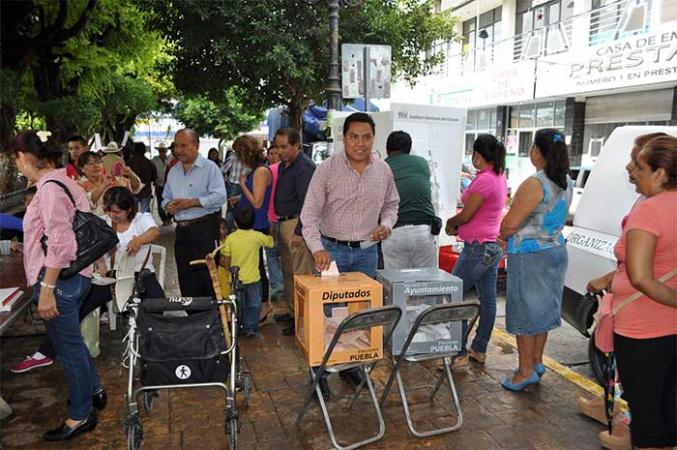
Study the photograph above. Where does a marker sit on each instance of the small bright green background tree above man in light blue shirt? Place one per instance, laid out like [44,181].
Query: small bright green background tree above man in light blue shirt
[224,118]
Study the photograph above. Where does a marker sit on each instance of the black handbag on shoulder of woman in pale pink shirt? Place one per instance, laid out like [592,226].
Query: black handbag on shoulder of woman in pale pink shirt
[92,234]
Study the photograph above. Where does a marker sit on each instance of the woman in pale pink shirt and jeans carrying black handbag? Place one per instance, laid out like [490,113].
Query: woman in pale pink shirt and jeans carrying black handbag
[51,214]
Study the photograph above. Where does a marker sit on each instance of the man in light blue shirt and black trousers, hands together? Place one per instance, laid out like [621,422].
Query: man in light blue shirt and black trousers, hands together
[194,194]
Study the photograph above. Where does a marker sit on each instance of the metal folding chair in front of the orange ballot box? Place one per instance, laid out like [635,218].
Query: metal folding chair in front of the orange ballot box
[387,317]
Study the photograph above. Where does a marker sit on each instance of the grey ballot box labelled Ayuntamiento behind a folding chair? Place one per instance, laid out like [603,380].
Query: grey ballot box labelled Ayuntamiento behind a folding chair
[415,290]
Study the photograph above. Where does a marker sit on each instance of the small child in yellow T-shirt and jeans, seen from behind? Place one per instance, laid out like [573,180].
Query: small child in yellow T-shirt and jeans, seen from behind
[242,249]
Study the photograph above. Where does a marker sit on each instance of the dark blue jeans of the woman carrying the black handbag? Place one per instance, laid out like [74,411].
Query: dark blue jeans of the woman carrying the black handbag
[64,333]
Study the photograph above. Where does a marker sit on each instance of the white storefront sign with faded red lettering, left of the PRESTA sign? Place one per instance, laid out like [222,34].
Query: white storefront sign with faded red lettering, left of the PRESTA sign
[497,85]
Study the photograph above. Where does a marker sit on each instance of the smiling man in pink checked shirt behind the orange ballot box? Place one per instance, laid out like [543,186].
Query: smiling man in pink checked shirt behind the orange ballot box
[351,204]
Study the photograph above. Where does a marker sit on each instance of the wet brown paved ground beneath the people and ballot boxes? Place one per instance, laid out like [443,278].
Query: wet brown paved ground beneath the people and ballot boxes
[543,417]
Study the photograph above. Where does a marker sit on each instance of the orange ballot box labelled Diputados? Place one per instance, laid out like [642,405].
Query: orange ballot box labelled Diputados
[321,304]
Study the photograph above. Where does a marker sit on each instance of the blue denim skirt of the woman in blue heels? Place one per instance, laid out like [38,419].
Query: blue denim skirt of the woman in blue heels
[534,291]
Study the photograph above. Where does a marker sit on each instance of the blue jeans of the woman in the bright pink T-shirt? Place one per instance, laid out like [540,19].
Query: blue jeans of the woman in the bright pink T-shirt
[477,266]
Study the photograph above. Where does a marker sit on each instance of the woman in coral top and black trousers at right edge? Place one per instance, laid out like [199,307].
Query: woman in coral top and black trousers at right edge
[645,331]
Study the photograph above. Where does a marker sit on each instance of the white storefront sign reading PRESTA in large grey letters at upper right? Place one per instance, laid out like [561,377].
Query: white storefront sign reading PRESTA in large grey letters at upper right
[638,60]
